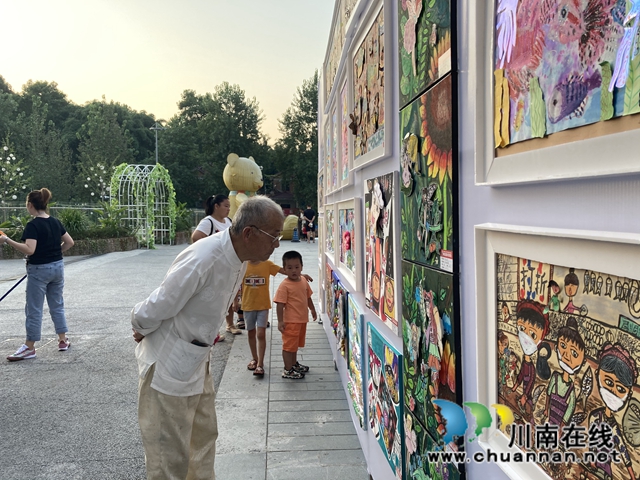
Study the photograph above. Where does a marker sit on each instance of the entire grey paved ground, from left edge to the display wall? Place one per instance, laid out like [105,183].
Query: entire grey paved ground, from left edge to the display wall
[72,415]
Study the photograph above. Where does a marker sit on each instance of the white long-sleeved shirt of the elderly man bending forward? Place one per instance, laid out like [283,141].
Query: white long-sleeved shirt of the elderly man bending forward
[190,304]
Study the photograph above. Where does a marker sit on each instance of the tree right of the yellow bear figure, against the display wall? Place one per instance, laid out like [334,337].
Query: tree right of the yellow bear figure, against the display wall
[296,153]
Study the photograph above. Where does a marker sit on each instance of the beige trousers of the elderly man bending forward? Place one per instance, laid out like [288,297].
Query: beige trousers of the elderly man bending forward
[178,433]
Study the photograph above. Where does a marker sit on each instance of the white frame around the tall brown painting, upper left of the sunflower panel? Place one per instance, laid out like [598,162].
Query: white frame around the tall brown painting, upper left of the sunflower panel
[386,149]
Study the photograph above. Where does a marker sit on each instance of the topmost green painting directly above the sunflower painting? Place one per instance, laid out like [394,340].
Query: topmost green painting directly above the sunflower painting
[424,45]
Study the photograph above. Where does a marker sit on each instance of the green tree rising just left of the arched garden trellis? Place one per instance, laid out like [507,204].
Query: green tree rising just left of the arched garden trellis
[103,145]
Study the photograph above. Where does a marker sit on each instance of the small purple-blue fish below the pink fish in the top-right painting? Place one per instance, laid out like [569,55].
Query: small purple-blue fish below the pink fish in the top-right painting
[569,97]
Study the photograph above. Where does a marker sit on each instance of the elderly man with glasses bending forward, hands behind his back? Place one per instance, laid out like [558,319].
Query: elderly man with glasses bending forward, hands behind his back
[176,327]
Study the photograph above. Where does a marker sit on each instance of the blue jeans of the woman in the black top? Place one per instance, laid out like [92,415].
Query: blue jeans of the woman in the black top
[44,280]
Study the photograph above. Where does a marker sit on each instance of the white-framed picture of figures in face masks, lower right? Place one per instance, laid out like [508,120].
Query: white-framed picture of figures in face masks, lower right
[557,309]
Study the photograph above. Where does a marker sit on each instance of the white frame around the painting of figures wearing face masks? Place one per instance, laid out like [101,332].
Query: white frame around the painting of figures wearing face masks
[614,253]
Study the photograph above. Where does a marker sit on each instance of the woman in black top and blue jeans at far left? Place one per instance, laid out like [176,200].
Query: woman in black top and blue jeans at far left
[45,239]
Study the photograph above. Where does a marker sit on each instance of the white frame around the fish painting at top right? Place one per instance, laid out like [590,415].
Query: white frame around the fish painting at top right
[580,159]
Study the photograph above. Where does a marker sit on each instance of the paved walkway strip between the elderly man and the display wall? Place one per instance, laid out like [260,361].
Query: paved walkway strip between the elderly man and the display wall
[278,429]
